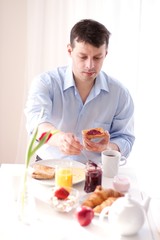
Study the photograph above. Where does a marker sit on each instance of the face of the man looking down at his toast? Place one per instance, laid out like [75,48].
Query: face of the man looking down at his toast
[87,60]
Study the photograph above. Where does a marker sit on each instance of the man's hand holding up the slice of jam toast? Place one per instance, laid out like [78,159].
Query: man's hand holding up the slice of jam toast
[98,146]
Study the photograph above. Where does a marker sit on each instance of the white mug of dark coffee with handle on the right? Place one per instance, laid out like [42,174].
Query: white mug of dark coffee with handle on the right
[111,160]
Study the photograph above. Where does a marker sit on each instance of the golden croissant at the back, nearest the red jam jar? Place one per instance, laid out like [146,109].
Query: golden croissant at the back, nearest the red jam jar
[99,195]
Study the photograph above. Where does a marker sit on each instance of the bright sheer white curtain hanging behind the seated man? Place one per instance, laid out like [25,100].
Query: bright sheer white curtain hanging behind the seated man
[133,58]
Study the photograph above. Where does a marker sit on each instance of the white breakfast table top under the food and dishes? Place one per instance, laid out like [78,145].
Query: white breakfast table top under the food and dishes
[50,224]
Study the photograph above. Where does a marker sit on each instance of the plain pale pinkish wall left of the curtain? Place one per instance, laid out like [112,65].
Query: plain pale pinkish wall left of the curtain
[13,37]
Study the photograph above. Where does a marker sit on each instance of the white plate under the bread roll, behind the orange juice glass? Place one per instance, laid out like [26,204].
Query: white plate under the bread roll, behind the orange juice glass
[78,170]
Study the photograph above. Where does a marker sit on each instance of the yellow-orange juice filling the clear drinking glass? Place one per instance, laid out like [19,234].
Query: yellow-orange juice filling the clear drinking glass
[63,177]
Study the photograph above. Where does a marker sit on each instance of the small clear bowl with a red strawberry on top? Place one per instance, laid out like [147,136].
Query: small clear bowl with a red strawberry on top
[67,203]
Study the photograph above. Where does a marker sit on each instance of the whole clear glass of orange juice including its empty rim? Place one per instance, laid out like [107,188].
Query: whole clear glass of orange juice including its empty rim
[64,175]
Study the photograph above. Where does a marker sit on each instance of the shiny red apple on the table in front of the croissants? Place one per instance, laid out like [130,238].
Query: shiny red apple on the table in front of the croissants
[84,215]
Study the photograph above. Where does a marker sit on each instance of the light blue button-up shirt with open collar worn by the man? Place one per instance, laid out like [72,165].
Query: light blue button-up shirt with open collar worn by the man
[109,105]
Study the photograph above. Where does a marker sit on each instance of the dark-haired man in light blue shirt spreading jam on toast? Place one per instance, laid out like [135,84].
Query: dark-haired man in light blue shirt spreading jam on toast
[81,96]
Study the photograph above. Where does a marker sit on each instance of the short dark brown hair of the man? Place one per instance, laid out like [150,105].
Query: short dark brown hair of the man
[89,31]
